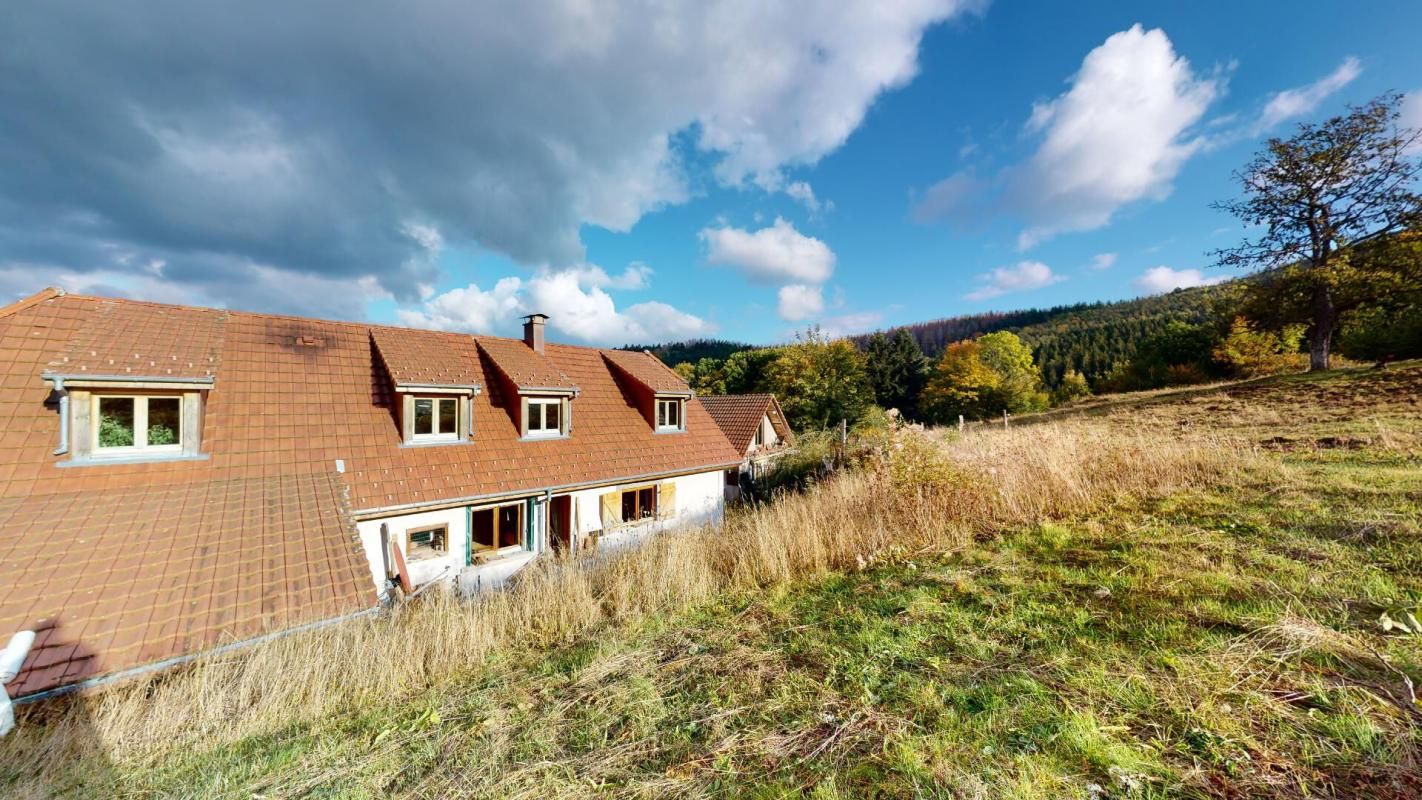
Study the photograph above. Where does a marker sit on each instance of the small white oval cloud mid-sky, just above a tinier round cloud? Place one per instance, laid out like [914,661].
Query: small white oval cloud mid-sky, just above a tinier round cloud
[771,255]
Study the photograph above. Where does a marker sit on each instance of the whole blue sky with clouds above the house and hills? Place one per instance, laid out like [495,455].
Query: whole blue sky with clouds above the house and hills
[643,175]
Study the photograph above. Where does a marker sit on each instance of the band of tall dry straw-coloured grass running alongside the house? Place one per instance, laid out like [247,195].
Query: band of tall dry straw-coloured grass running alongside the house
[918,492]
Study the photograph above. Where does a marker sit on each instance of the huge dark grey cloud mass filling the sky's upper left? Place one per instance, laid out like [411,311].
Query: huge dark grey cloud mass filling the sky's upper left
[508,126]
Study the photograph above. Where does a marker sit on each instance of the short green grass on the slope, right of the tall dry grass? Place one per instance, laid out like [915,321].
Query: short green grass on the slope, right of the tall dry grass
[1207,644]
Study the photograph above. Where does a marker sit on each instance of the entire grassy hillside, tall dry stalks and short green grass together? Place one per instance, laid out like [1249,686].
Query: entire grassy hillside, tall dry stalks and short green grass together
[1155,596]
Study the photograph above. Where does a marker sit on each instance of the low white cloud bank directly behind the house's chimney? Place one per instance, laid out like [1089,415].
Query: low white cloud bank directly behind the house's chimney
[575,301]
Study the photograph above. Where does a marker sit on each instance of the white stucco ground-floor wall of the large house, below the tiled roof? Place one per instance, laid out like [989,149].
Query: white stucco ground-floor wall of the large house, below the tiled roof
[700,501]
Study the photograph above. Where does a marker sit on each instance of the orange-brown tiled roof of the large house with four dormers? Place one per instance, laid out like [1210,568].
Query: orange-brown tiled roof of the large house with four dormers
[181,555]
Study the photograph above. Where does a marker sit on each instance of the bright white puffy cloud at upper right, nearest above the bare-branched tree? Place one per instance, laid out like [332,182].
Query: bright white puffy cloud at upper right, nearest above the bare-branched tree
[1120,134]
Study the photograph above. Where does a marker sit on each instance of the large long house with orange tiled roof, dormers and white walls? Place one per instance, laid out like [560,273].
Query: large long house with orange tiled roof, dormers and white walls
[176,480]
